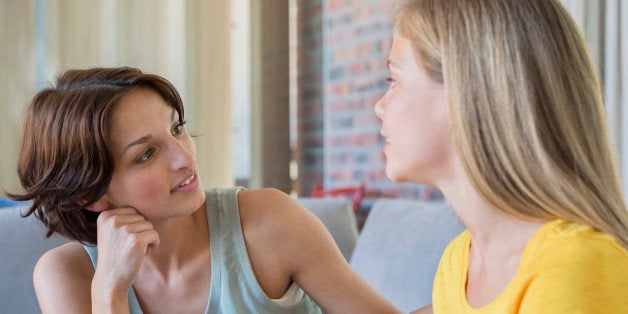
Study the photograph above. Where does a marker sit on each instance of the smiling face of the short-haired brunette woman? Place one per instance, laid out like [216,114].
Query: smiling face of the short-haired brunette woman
[155,158]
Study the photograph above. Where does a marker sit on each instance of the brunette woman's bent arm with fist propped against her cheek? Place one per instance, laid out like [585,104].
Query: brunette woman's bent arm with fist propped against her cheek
[64,278]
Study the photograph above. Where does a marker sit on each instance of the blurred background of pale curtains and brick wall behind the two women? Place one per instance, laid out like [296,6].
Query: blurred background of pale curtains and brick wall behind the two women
[282,91]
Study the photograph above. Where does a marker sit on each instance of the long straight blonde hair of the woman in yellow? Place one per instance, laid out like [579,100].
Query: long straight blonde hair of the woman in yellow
[525,106]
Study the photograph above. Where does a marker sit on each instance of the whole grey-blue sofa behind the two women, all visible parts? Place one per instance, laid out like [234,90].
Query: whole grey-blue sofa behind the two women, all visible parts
[397,250]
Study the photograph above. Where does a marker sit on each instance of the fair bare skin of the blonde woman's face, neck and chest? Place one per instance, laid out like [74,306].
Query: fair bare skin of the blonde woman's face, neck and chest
[420,149]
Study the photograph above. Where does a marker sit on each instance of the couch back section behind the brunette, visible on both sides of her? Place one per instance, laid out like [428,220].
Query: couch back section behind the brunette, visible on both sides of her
[22,242]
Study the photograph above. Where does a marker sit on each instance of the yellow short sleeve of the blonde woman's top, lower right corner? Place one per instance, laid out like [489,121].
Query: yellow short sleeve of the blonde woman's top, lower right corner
[578,275]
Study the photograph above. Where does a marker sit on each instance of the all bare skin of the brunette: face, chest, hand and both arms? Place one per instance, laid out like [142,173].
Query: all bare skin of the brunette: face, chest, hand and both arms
[153,236]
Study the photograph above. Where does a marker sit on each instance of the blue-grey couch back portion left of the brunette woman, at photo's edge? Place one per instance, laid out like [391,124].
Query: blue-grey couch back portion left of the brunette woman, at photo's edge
[22,242]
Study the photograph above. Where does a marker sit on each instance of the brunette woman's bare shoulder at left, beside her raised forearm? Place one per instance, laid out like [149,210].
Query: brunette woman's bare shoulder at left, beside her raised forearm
[62,279]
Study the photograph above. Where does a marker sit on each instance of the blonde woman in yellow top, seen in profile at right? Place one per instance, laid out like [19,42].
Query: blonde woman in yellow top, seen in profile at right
[497,103]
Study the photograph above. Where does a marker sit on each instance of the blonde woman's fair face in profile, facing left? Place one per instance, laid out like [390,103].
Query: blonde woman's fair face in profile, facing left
[414,118]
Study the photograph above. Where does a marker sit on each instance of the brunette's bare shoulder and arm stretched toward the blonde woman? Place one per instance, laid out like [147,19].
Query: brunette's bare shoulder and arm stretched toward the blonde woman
[278,228]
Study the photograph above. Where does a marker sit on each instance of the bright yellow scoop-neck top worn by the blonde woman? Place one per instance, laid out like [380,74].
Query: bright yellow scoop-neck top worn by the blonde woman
[565,268]
